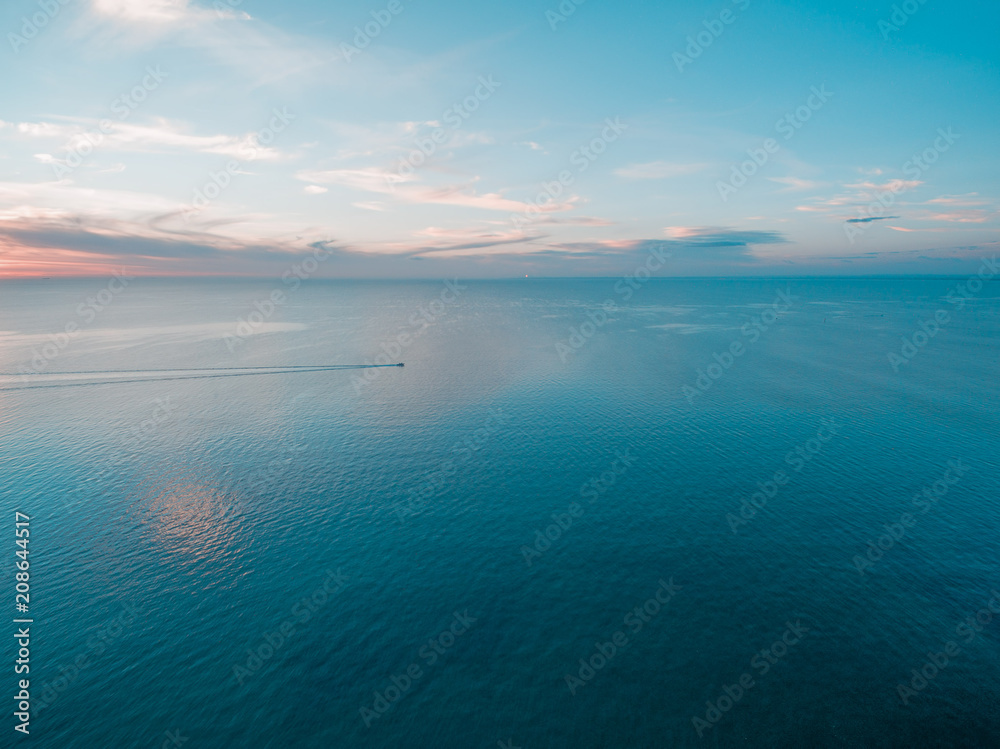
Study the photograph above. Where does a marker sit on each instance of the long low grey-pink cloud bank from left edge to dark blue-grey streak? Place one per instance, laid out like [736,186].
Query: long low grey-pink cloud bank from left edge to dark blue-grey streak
[151,247]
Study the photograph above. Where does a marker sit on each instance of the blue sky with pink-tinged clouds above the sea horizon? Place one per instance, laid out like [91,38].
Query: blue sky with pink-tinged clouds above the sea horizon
[415,139]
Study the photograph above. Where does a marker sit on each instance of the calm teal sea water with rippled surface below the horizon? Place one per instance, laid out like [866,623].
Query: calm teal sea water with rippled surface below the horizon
[317,559]
